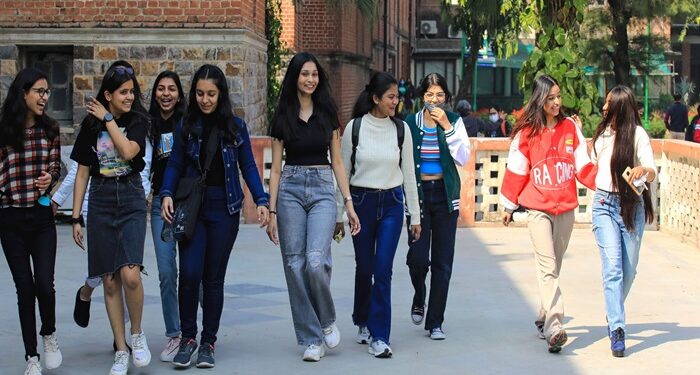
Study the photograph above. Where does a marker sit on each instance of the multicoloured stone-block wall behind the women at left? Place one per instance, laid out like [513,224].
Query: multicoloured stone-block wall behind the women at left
[240,54]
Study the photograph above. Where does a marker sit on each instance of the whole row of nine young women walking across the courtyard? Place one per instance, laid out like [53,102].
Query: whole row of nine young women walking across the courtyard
[383,168]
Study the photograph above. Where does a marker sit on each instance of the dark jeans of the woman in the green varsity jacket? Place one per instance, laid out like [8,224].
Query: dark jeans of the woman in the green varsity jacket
[435,250]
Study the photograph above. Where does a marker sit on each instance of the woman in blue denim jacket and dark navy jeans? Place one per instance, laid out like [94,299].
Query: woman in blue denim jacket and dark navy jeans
[204,257]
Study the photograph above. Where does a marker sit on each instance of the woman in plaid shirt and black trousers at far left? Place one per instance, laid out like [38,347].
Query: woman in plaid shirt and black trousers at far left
[30,165]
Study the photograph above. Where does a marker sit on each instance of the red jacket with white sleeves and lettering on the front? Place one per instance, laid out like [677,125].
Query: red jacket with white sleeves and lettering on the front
[542,170]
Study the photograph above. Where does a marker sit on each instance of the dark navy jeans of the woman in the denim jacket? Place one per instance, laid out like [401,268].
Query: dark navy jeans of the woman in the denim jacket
[203,260]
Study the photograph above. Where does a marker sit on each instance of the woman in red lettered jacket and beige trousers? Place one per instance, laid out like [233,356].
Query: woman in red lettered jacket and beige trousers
[547,155]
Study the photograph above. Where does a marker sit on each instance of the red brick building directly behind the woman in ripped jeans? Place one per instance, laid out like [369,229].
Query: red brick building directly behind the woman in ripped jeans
[351,46]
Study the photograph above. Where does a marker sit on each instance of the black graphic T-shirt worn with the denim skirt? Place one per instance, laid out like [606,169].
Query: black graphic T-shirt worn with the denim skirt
[96,149]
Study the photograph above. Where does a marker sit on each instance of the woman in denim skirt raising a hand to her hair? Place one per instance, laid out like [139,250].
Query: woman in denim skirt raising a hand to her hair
[110,149]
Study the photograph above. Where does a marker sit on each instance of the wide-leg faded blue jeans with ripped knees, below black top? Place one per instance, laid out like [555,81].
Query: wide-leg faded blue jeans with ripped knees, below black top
[305,222]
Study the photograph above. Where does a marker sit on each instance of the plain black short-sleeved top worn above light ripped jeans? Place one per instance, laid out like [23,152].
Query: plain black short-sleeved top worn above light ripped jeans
[311,143]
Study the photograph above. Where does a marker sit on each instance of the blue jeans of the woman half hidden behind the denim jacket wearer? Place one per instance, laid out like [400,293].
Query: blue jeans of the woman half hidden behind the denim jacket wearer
[167,272]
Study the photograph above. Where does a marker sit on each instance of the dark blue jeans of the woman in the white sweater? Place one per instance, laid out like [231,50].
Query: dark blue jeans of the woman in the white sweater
[381,217]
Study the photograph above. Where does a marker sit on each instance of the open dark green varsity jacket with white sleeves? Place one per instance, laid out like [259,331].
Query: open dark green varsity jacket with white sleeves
[454,149]
